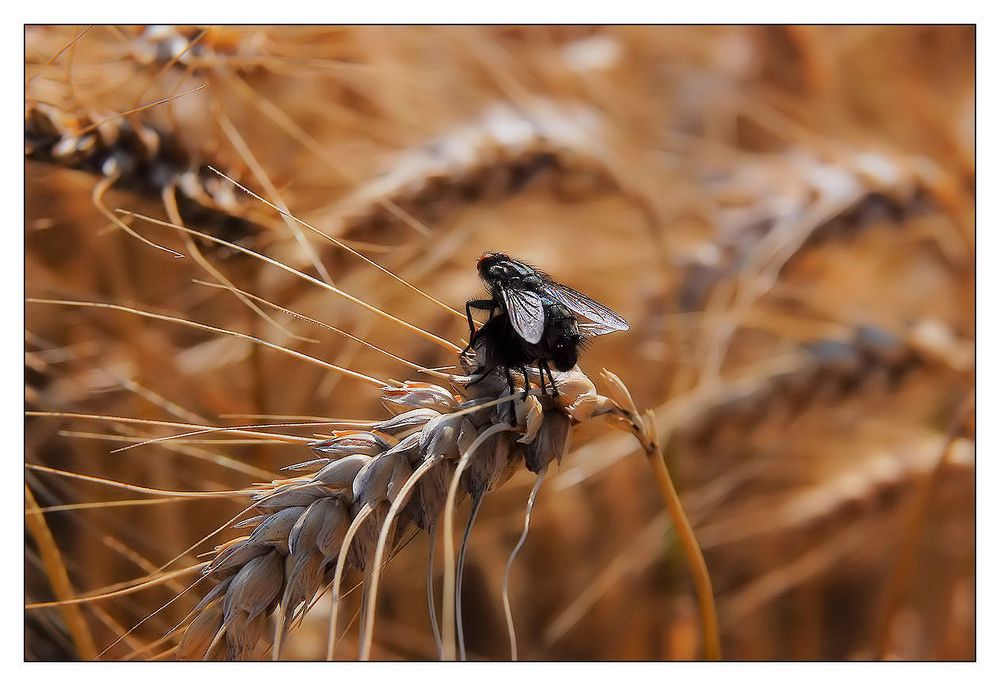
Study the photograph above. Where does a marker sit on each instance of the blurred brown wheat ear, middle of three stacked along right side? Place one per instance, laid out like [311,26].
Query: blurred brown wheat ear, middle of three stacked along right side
[834,369]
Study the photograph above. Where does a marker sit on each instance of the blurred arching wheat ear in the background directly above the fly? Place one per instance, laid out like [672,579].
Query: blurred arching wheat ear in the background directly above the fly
[501,153]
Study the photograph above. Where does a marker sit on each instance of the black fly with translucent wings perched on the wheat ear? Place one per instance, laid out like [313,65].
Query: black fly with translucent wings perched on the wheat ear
[532,321]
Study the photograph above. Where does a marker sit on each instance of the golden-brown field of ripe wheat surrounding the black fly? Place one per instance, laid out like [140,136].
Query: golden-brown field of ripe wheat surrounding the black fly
[251,433]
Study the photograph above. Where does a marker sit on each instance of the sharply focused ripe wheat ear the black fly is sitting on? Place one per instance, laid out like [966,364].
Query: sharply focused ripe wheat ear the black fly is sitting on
[300,524]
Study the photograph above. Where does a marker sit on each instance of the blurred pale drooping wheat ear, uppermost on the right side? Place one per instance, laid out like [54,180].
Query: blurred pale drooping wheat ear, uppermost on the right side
[800,200]
